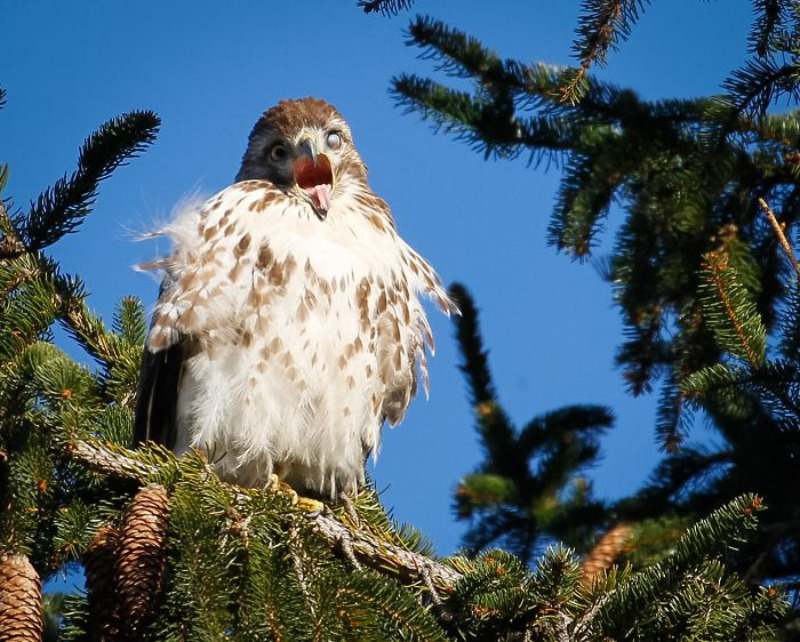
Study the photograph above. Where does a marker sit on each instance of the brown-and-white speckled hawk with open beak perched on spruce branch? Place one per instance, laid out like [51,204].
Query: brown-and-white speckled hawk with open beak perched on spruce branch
[289,326]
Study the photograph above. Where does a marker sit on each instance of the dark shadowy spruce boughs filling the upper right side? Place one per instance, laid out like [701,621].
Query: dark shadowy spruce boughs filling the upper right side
[703,277]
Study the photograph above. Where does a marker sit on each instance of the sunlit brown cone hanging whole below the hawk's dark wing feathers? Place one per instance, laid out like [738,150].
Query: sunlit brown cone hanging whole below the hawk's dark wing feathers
[142,555]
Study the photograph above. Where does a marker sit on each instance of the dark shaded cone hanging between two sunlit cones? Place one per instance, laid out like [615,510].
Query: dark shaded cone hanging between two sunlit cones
[99,561]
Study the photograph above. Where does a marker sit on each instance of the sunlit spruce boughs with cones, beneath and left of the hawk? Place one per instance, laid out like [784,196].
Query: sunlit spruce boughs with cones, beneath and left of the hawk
[171,552]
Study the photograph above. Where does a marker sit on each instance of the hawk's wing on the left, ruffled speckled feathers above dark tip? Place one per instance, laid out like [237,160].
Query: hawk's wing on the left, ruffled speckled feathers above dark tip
[201,291]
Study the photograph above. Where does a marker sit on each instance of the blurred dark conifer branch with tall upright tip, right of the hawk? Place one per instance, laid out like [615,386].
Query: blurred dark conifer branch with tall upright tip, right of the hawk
[523,469]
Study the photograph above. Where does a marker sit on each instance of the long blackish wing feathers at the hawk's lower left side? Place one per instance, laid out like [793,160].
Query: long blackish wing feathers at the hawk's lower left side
[156,405]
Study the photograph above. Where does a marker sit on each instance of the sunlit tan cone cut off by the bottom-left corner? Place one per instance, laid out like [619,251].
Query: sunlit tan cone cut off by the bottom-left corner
[20,600]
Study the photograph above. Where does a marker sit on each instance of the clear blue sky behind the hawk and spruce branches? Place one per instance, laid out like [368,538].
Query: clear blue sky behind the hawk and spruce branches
[209,69]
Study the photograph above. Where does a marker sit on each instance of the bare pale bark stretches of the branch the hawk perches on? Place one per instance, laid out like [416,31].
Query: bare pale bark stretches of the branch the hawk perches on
[385,557]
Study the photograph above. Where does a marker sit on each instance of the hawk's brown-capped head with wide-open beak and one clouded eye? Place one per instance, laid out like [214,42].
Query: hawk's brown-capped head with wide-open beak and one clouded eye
[305,147]
